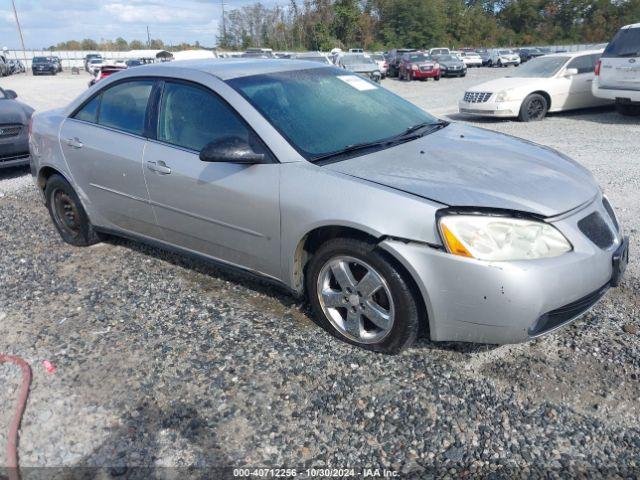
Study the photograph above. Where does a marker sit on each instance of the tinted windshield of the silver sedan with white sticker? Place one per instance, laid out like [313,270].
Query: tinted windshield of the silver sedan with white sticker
[322,111]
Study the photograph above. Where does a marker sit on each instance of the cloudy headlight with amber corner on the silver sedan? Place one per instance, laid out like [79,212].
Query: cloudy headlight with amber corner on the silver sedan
[497,238]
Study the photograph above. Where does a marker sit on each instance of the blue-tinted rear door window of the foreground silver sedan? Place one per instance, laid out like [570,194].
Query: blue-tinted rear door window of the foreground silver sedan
[124,106]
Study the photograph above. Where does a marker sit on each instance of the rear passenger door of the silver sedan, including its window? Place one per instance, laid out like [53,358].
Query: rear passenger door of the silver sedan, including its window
[103,143]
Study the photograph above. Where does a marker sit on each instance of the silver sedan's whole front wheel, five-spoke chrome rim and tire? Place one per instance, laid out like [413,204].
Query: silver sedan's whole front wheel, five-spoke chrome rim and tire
[361,297]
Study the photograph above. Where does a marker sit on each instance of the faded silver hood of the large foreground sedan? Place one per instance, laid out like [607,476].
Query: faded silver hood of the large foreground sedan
[470,167]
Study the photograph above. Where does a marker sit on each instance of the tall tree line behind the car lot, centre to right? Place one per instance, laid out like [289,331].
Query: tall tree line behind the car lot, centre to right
[384,24]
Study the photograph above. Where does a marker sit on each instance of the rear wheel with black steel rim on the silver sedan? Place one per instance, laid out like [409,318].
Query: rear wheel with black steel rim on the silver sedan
[67,213]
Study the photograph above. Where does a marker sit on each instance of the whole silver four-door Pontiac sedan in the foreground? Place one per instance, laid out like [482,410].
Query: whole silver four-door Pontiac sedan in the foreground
[389,220]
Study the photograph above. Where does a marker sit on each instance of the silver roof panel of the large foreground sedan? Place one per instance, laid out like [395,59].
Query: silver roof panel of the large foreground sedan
[228,68]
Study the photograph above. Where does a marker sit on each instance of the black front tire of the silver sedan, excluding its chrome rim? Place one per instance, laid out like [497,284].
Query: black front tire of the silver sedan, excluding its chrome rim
[407,311]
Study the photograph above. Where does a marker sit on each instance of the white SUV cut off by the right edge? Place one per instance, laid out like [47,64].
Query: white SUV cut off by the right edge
[618,71]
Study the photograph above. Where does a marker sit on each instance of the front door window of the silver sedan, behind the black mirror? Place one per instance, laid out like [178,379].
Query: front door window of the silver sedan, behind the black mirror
[191,117]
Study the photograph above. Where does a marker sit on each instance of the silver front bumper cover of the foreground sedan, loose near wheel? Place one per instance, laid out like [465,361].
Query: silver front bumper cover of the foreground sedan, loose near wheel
[510,302]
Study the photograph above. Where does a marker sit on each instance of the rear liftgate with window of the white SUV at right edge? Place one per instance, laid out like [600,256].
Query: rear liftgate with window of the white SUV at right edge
[620,67]
